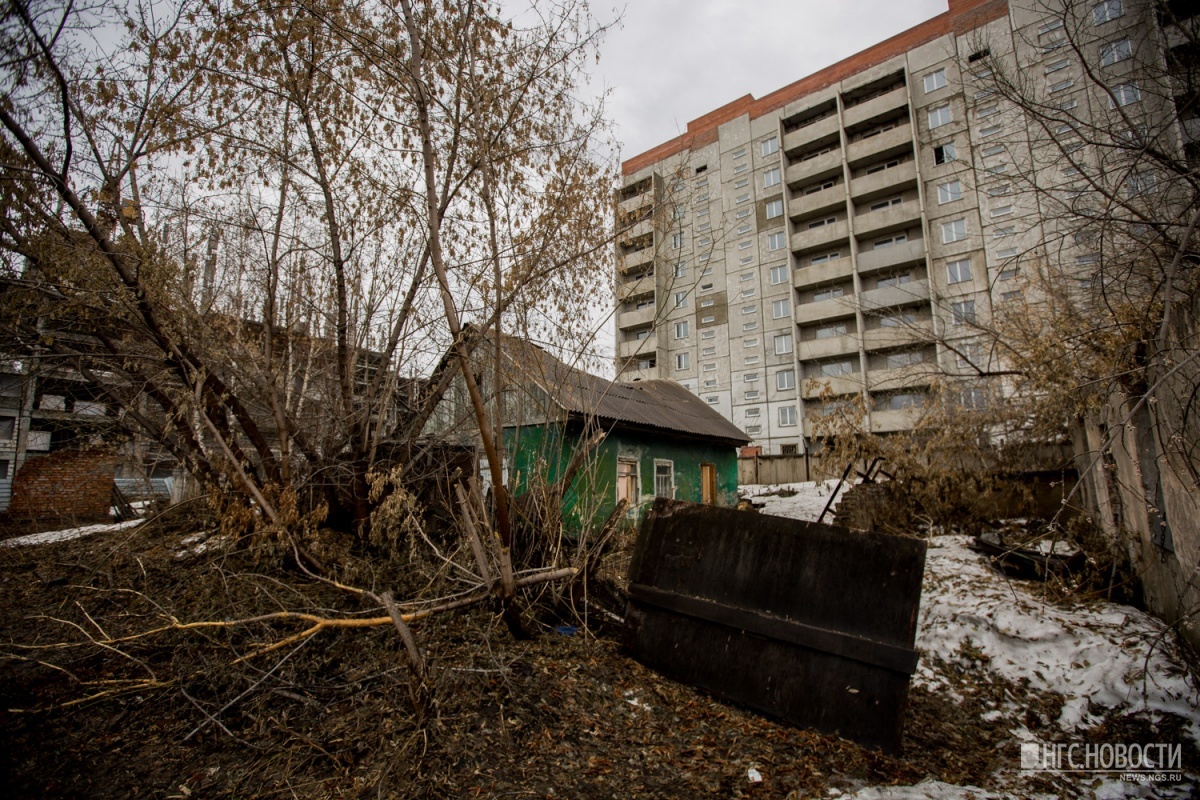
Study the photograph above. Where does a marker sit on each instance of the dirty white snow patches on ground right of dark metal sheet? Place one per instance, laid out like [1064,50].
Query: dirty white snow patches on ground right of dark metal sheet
[1100,657]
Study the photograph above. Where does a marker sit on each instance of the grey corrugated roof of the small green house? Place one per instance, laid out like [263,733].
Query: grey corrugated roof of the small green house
[662,405]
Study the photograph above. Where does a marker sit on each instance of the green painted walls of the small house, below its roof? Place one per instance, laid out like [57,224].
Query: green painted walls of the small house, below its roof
[544,452]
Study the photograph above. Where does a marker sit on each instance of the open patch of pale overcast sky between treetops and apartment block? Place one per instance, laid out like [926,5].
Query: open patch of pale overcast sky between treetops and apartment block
[674,61]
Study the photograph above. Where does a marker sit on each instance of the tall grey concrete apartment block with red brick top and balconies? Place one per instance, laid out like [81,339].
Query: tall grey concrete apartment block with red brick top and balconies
[854,227]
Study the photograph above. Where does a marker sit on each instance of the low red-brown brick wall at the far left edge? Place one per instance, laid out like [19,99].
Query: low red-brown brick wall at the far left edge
[69,484]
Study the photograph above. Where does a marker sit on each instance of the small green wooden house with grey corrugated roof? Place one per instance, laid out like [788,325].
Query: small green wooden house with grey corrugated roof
[658,438]
